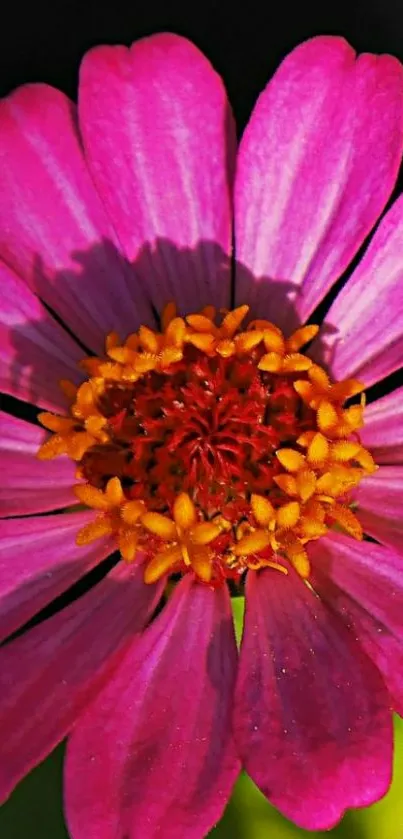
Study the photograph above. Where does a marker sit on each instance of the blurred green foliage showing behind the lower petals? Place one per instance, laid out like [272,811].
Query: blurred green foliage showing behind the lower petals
[34,811]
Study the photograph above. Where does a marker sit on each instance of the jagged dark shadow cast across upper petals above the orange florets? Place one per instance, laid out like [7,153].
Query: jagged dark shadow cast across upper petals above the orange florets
[194,277]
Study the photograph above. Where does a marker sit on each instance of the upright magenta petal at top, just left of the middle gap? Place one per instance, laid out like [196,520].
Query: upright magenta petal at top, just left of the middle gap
[160,143]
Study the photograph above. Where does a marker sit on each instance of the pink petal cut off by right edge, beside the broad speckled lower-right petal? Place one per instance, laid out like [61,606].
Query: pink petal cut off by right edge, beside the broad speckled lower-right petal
[363,582]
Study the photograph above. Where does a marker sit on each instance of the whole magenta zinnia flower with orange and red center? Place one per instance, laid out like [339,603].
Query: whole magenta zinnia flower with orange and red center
[209,437]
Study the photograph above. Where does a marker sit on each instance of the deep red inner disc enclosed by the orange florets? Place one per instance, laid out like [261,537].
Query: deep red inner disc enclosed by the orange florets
[209,426]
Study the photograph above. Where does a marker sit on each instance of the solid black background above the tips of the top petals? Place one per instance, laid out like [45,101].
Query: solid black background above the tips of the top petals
[244,39]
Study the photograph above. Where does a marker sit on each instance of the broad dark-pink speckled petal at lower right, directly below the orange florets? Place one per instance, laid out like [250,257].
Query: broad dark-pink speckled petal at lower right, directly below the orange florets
[312,718]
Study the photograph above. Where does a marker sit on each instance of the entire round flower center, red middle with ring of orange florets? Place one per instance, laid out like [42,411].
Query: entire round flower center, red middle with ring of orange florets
[212,448]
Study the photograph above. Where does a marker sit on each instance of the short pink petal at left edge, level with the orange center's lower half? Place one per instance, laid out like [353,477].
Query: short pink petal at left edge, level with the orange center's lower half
[29,485]
